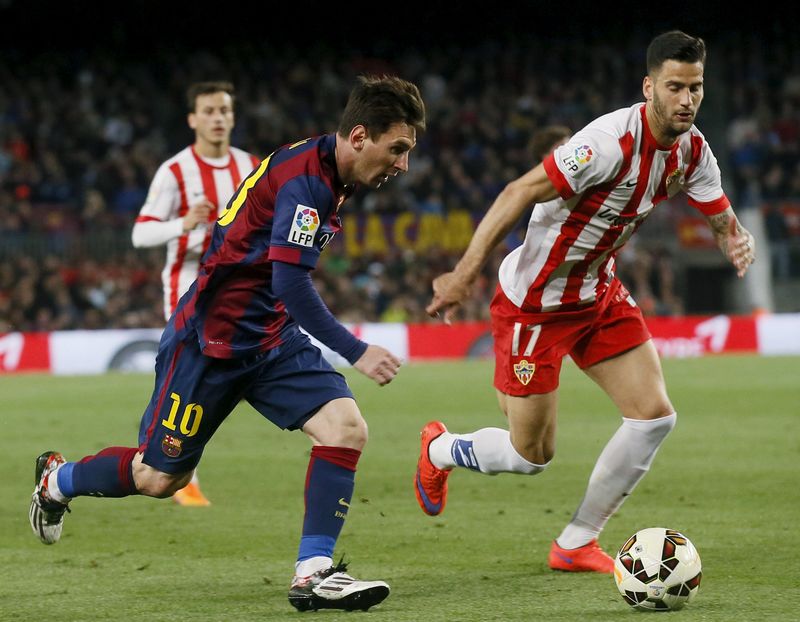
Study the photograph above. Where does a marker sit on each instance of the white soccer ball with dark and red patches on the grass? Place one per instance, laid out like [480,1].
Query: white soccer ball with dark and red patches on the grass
[657,569]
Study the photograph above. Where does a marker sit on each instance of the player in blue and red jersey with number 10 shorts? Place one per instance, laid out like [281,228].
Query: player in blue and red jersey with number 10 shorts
[236,335]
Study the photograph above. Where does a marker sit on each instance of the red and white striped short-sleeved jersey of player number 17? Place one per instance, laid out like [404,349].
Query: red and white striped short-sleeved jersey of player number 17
[609,176]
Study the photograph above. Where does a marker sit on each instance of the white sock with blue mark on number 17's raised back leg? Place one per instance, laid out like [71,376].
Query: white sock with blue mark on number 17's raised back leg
[488,450]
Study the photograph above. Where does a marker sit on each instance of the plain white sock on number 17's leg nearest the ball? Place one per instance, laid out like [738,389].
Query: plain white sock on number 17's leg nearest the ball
[624,461]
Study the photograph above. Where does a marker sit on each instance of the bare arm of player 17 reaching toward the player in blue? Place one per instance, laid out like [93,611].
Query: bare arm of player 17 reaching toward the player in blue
[452,288]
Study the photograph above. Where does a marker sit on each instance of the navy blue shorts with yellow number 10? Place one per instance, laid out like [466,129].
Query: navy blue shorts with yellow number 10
[194,394]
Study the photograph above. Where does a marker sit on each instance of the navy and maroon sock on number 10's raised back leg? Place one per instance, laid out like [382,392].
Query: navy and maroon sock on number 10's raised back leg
[106,474]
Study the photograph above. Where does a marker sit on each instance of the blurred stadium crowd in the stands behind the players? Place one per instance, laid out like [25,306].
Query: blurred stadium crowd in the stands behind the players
[81,136]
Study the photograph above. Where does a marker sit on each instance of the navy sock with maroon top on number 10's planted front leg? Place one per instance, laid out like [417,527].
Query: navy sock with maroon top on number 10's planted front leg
[329,487]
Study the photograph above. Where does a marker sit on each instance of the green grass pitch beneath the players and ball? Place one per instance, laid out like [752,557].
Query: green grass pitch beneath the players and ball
[727,477]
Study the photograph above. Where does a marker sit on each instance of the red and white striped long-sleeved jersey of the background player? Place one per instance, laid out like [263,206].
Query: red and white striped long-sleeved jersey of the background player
[181,181]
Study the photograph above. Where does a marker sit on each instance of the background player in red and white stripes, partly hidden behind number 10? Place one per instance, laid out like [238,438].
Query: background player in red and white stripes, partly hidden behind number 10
[185,196]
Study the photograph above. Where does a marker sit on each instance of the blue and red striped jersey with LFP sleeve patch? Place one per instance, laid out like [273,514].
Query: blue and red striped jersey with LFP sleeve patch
[285,210]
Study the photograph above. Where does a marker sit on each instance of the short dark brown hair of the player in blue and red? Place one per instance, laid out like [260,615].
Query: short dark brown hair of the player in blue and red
[377,102]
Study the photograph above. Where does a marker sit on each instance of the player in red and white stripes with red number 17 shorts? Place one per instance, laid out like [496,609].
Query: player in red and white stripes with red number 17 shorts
[558,295]
